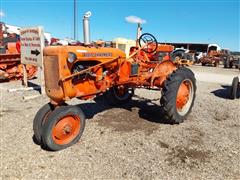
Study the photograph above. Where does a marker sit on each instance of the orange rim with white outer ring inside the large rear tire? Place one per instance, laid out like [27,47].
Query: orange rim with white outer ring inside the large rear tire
[184,97]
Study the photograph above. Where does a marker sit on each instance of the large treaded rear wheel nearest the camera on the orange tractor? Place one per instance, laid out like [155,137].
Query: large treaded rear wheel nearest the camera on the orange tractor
[178,95]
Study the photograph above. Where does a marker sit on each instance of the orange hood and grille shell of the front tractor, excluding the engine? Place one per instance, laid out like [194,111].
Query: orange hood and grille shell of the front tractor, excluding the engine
[57,66]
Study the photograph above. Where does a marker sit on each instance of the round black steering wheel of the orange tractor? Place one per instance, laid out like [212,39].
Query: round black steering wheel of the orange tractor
[148,42]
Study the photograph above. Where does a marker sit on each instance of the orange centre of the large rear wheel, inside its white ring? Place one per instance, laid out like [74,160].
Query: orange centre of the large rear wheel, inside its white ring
[183,95]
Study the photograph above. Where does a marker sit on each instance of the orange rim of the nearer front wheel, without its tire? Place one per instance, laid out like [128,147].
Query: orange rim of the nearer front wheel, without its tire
[66,129]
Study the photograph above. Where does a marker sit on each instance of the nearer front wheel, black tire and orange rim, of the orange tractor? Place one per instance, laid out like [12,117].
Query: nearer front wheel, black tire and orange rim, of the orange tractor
[63,128]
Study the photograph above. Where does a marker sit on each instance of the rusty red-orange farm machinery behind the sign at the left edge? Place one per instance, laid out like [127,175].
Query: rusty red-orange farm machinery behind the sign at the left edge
[10,65]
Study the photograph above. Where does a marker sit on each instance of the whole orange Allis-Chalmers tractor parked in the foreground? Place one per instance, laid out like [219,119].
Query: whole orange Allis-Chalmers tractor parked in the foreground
[87,71]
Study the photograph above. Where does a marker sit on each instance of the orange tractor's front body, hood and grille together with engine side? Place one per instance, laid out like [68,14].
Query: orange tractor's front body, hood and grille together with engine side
[57,68]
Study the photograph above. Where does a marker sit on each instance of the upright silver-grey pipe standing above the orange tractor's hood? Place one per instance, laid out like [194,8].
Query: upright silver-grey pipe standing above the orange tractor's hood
[86,28]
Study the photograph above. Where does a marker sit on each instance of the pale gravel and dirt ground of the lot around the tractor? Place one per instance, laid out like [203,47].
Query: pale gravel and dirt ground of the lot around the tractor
[129,142]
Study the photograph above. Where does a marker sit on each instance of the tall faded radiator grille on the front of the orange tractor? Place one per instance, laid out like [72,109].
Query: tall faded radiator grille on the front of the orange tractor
[51,72]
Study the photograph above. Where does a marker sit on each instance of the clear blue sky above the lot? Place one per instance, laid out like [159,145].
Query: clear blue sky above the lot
[205,21]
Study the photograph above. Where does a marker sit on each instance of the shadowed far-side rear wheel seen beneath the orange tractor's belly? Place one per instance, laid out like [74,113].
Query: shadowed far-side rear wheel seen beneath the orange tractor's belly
[118,95]
